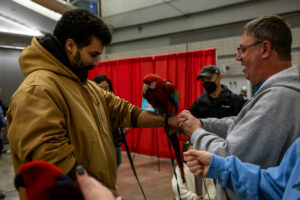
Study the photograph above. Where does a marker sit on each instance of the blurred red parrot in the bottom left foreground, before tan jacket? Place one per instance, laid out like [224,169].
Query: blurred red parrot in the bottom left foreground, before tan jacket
[43,180]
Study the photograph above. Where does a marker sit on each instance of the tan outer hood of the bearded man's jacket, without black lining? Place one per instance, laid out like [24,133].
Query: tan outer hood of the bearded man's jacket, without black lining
[36,57]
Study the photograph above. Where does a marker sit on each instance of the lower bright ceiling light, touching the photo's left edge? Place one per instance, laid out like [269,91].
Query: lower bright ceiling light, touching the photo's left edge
[16,27]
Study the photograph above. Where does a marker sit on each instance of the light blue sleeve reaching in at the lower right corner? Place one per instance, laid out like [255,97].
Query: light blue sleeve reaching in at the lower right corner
[249,181]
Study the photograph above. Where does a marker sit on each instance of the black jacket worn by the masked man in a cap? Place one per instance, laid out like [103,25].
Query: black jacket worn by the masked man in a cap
[227,104]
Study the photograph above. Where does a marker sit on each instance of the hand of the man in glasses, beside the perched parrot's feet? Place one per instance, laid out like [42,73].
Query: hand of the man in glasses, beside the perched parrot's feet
[188,123]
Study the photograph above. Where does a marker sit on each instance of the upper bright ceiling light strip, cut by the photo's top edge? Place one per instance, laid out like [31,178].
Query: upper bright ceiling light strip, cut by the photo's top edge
[39,9]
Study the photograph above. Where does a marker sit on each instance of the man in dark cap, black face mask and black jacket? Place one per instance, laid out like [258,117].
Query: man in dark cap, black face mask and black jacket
[216,100]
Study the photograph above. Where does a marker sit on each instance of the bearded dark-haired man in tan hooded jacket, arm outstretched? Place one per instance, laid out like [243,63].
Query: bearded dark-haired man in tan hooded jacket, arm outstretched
[59,116]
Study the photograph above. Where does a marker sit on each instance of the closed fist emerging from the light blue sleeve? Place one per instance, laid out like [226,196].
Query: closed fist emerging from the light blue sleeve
[198,161]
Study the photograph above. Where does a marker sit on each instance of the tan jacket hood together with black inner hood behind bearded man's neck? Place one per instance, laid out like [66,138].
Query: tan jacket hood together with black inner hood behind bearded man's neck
[36,57]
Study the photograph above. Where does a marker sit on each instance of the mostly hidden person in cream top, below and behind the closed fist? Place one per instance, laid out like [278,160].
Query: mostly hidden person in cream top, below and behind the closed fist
[194,188]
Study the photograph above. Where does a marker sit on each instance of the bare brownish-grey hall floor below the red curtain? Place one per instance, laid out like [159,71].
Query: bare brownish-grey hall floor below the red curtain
[156,184]
